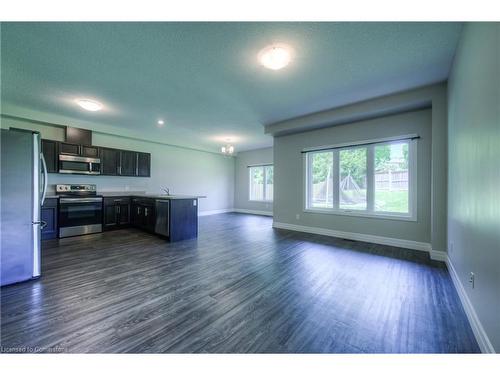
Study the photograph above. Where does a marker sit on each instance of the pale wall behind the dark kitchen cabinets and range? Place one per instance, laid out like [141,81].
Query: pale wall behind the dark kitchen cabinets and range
[184,171]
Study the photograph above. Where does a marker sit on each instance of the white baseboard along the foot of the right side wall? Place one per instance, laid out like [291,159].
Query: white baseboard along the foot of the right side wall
[481,336]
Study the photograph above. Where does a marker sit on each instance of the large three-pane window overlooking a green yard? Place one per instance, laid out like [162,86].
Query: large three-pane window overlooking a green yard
[377,179]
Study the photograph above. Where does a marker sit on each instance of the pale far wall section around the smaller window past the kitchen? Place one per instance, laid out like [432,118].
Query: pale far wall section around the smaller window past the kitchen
[241,190]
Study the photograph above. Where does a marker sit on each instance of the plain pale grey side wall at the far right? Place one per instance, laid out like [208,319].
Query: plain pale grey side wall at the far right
[474,172]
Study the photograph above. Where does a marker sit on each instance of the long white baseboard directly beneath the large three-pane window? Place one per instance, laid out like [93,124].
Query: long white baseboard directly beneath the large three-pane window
[407,244]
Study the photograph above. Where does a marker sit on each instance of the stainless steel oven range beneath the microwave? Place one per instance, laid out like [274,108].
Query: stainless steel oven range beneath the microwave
[80,210]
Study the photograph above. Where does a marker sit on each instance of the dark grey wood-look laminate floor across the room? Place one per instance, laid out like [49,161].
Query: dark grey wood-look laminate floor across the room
[240,287]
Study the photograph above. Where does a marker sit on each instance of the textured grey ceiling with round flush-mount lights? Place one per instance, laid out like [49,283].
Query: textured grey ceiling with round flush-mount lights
[204,78]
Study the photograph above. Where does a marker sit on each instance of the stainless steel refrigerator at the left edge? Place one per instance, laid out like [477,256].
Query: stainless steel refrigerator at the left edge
[23,187]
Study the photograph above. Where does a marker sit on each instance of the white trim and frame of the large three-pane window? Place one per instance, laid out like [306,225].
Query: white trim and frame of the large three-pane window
[369,212]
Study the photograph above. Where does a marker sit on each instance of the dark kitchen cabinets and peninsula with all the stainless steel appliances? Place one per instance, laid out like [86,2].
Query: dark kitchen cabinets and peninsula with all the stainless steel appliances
[66,210]
